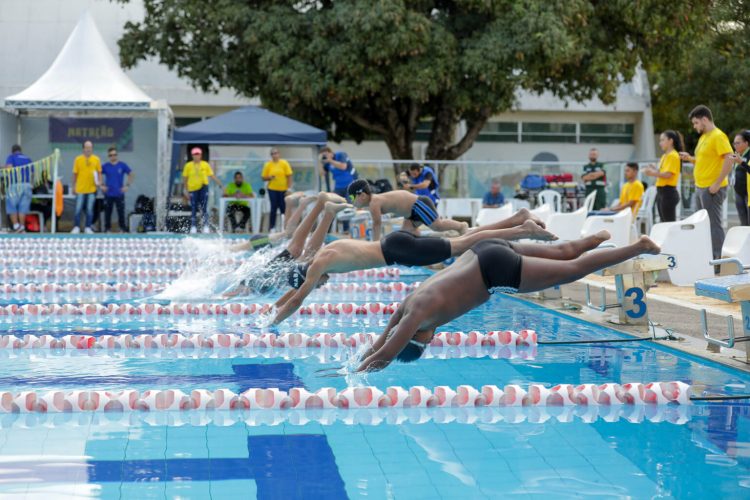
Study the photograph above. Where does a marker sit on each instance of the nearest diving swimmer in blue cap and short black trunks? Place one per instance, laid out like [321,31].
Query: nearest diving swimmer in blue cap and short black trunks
[490,266]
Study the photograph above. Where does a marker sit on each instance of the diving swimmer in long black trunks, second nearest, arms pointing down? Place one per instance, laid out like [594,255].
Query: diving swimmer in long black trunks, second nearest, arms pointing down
[402,248]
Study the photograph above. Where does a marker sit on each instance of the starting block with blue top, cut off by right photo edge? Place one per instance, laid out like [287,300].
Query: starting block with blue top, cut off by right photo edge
[733,288]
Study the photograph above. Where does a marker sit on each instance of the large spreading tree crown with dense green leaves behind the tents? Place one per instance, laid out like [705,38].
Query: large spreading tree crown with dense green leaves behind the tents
[383,66]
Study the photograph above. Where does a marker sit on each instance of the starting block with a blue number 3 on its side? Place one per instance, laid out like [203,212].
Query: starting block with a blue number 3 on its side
[633,278]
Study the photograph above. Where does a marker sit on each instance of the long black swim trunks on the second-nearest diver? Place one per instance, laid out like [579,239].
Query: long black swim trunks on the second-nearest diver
[406,249]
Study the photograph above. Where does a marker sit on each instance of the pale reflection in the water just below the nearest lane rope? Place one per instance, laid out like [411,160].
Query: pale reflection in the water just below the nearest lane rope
[673,414]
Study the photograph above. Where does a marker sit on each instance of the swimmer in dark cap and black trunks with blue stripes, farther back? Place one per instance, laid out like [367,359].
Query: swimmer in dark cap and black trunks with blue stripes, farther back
[416,210]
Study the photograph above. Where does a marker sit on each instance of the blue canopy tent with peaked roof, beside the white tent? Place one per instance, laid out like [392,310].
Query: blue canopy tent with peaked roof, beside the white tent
[249,126]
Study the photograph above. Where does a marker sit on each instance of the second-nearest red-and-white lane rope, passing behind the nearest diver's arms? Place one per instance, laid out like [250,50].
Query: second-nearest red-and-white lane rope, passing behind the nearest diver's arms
[471,342]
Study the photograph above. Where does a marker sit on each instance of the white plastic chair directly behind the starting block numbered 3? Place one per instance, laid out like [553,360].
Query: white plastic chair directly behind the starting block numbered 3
[689,242]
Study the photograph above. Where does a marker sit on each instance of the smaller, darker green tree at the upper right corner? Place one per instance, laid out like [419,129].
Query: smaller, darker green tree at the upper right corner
[711,70]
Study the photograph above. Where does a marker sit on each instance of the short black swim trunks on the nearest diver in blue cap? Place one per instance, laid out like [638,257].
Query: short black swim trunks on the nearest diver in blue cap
[499,264]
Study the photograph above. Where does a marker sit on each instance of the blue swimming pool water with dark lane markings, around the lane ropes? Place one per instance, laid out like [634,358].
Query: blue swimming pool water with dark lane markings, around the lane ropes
[700,450]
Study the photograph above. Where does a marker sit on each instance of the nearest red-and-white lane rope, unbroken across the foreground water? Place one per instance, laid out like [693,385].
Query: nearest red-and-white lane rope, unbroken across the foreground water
[655,393]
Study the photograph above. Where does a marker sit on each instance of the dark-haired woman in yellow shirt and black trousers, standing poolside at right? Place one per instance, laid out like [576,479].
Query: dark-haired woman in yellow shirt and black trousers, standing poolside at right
[667,175]
